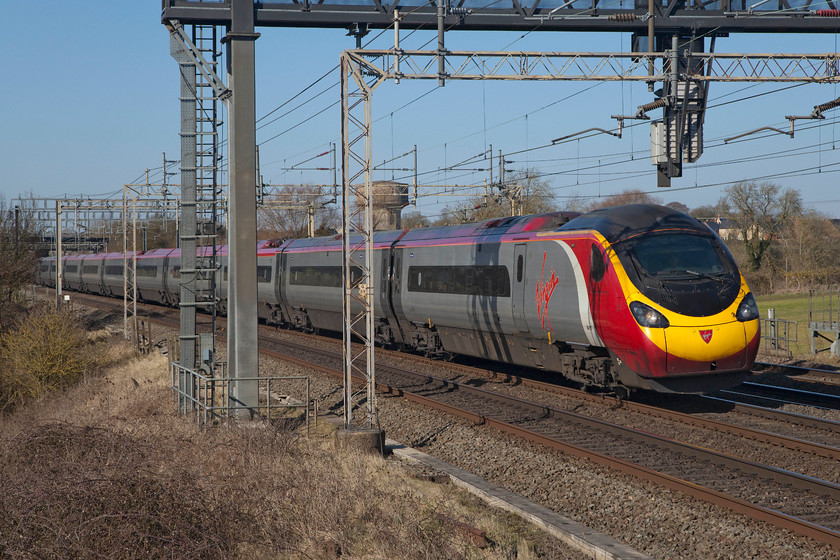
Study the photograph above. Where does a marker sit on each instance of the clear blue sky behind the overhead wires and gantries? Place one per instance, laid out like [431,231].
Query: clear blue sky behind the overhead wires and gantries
[90,100]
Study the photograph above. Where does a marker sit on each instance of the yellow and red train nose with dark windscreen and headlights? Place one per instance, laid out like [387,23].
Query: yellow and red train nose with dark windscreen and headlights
[683,319]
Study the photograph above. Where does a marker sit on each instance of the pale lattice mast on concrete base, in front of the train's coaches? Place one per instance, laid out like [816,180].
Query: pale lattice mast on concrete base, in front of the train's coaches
[357,237]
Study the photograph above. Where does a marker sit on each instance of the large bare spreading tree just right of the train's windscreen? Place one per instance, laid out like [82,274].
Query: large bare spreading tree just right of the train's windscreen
[760,212]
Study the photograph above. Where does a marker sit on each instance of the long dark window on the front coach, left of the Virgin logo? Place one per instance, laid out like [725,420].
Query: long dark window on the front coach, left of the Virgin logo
[490,281]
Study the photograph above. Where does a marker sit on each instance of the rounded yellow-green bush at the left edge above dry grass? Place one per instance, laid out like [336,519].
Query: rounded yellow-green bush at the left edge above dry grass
[47,351]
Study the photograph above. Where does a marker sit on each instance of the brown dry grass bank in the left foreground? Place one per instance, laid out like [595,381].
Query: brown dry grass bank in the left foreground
[106,469]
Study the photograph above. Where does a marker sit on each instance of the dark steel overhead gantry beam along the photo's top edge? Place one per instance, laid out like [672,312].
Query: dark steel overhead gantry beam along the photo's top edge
[668,17]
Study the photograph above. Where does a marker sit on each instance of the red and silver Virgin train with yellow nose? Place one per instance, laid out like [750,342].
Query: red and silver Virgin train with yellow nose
[624,298]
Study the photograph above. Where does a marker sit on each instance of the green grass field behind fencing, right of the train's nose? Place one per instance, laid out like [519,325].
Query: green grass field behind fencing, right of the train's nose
[794,307]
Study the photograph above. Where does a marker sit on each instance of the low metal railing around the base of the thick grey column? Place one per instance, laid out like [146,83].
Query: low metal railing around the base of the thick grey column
[210,398]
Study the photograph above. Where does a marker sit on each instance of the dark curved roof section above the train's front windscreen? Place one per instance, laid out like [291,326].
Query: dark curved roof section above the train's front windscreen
[622,222]
